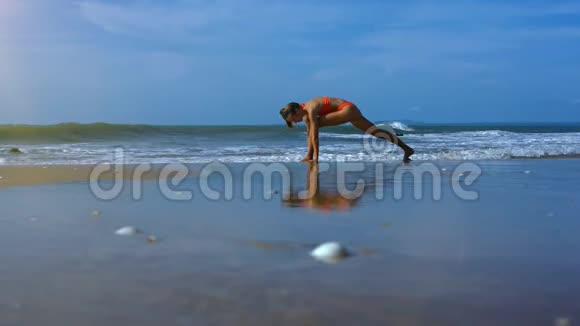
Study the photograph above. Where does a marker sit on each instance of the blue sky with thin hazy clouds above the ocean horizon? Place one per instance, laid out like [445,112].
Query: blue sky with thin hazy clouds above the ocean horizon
[238,62]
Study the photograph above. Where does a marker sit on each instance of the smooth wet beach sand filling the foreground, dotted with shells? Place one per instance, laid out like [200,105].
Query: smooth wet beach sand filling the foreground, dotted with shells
[508,258]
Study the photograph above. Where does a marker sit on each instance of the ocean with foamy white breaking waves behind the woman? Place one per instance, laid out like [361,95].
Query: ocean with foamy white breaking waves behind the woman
[73,143]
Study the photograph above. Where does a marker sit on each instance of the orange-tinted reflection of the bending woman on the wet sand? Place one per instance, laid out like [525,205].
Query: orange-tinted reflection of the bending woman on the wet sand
[314,198]
